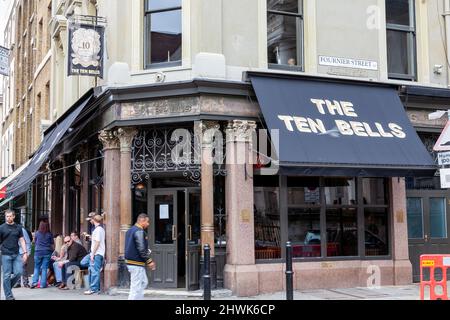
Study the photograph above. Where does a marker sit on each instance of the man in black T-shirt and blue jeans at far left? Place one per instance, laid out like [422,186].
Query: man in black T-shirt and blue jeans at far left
[11,235]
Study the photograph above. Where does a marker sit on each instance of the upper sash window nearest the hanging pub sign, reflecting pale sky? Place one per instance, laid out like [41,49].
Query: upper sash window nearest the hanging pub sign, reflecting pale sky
[162,33]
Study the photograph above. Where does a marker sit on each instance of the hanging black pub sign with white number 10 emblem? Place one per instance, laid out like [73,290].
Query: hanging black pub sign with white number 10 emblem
[86,49]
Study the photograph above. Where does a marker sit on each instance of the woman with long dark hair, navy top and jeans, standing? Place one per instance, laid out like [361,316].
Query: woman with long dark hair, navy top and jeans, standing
[44,246]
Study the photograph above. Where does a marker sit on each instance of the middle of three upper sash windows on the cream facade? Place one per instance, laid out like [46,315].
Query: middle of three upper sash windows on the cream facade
[285,34]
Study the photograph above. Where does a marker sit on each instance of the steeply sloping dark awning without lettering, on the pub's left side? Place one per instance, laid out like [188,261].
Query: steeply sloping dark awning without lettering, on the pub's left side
[51,139]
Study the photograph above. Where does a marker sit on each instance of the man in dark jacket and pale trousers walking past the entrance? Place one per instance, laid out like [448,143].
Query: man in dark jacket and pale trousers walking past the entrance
[137,257]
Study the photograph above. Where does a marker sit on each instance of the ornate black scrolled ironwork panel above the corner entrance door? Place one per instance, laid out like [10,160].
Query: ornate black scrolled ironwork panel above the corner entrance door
[154,151]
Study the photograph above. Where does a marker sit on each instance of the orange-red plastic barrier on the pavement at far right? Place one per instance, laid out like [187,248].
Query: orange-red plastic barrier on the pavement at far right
[433,262]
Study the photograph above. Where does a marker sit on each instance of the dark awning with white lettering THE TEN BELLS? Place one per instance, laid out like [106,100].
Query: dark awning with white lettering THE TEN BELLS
[340,128]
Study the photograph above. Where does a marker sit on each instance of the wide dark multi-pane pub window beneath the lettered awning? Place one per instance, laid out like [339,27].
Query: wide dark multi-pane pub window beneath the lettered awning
[322,217]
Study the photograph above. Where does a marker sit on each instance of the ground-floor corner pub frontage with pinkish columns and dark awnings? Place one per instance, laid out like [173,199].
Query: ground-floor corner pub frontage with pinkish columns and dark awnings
[334,186]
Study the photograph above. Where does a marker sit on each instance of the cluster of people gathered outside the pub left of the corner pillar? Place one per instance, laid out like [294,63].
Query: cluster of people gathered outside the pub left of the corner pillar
[49,254]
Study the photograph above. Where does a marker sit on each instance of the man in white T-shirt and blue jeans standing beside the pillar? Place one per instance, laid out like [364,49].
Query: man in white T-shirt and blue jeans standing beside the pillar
[97,256]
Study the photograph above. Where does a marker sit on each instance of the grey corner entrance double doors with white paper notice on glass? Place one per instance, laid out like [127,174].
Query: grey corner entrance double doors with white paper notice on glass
[175,237]
